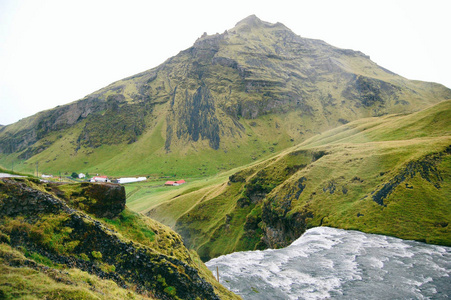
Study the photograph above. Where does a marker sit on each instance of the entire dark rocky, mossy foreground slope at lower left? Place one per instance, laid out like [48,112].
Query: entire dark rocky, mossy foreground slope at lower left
[79,241]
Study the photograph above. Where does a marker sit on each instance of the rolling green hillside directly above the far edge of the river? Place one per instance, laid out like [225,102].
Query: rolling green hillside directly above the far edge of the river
[388,175]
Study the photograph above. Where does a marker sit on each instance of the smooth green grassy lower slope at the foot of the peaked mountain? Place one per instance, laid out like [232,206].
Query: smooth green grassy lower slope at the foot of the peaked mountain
[148,157]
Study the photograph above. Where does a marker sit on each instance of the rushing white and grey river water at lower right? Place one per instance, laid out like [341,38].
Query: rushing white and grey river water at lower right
[339,264]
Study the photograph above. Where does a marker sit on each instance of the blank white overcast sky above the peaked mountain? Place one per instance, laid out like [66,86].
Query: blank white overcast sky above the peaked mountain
[57,51]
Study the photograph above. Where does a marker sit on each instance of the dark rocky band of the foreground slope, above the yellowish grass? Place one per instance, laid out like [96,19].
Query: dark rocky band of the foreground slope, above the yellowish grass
[43,225]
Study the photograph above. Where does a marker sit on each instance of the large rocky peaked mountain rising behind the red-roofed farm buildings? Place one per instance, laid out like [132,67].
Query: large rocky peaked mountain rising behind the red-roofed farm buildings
[228,100]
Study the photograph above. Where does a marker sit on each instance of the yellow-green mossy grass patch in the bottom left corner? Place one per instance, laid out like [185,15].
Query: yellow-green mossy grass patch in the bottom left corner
[42,282]
